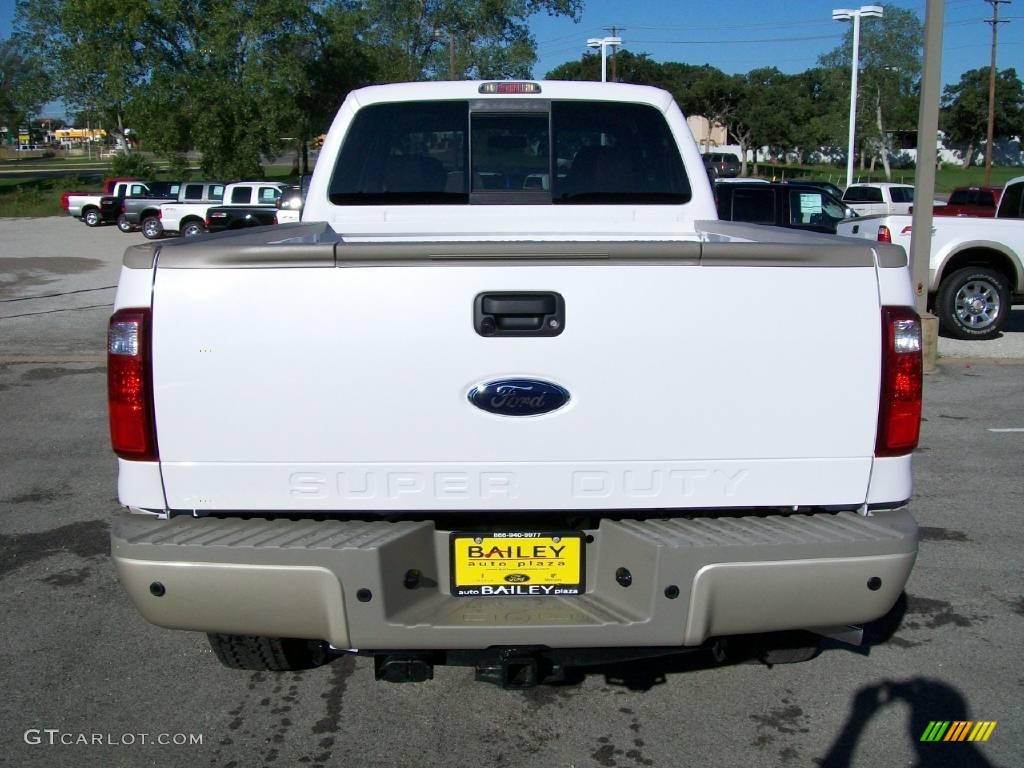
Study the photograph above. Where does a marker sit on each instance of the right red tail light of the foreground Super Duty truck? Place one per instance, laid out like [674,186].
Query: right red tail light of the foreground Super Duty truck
[901,398]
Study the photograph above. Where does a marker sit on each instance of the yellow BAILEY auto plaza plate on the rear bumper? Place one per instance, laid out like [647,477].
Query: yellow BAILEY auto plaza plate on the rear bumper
[518,564]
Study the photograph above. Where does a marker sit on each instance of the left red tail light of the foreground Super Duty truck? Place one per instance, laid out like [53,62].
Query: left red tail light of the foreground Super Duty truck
[130,386]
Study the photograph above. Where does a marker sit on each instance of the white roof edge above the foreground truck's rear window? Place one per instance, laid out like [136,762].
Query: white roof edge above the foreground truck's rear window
[549,90]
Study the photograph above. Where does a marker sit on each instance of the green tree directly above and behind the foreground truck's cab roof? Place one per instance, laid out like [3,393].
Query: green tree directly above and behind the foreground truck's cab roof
[443,39]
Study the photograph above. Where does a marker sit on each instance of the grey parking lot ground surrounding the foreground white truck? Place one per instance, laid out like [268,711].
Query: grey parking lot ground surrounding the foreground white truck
[80,663]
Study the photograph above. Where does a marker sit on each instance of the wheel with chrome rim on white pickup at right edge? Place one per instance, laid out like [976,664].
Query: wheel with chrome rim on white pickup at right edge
[973,304]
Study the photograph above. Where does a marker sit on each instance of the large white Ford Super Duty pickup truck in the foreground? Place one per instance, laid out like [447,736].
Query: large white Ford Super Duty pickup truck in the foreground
[459,417]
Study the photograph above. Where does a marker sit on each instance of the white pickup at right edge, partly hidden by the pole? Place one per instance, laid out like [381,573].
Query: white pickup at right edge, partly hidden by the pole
[976,266]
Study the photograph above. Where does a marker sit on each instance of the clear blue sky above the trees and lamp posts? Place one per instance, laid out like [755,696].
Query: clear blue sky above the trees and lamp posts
[738,36]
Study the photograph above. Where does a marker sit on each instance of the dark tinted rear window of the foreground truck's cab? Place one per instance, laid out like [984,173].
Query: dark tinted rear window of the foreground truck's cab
[509,152]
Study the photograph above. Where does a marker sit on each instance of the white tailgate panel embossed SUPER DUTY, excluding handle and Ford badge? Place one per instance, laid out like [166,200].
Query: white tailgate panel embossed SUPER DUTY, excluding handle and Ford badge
[347,389]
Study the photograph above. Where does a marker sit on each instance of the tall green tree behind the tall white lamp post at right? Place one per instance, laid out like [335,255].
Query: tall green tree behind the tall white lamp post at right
[890,58]
